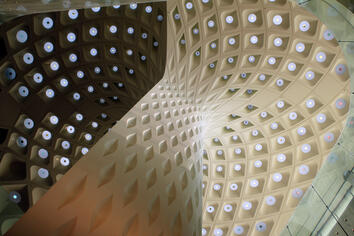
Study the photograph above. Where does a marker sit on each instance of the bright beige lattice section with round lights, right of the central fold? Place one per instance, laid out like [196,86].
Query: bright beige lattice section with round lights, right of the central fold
[262,148]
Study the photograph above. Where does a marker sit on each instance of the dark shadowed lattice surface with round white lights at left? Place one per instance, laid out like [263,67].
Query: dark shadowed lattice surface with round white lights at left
[66,80]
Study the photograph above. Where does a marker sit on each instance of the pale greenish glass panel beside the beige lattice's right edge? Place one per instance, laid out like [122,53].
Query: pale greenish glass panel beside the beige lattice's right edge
[320,210]
